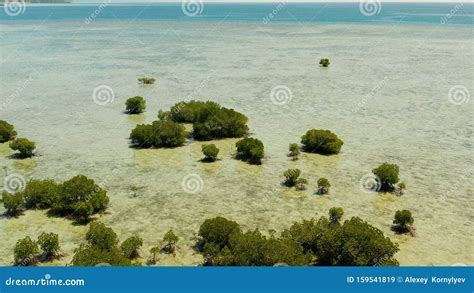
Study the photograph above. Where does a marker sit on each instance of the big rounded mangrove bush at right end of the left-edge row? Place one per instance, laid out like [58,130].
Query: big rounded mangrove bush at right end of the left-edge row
[80,197]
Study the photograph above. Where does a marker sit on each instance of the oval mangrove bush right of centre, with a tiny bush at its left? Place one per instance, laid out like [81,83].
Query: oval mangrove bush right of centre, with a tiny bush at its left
[321,141]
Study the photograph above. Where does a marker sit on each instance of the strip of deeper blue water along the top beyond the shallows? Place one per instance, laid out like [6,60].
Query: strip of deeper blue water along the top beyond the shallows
[452,13]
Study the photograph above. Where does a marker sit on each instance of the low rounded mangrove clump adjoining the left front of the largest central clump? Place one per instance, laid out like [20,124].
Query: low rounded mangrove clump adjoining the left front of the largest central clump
[158,134]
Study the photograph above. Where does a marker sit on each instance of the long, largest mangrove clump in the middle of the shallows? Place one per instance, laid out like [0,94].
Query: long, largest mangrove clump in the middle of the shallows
[209,119]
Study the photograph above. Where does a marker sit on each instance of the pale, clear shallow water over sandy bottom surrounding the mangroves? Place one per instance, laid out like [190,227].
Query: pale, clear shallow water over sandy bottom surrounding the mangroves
[385,94]
